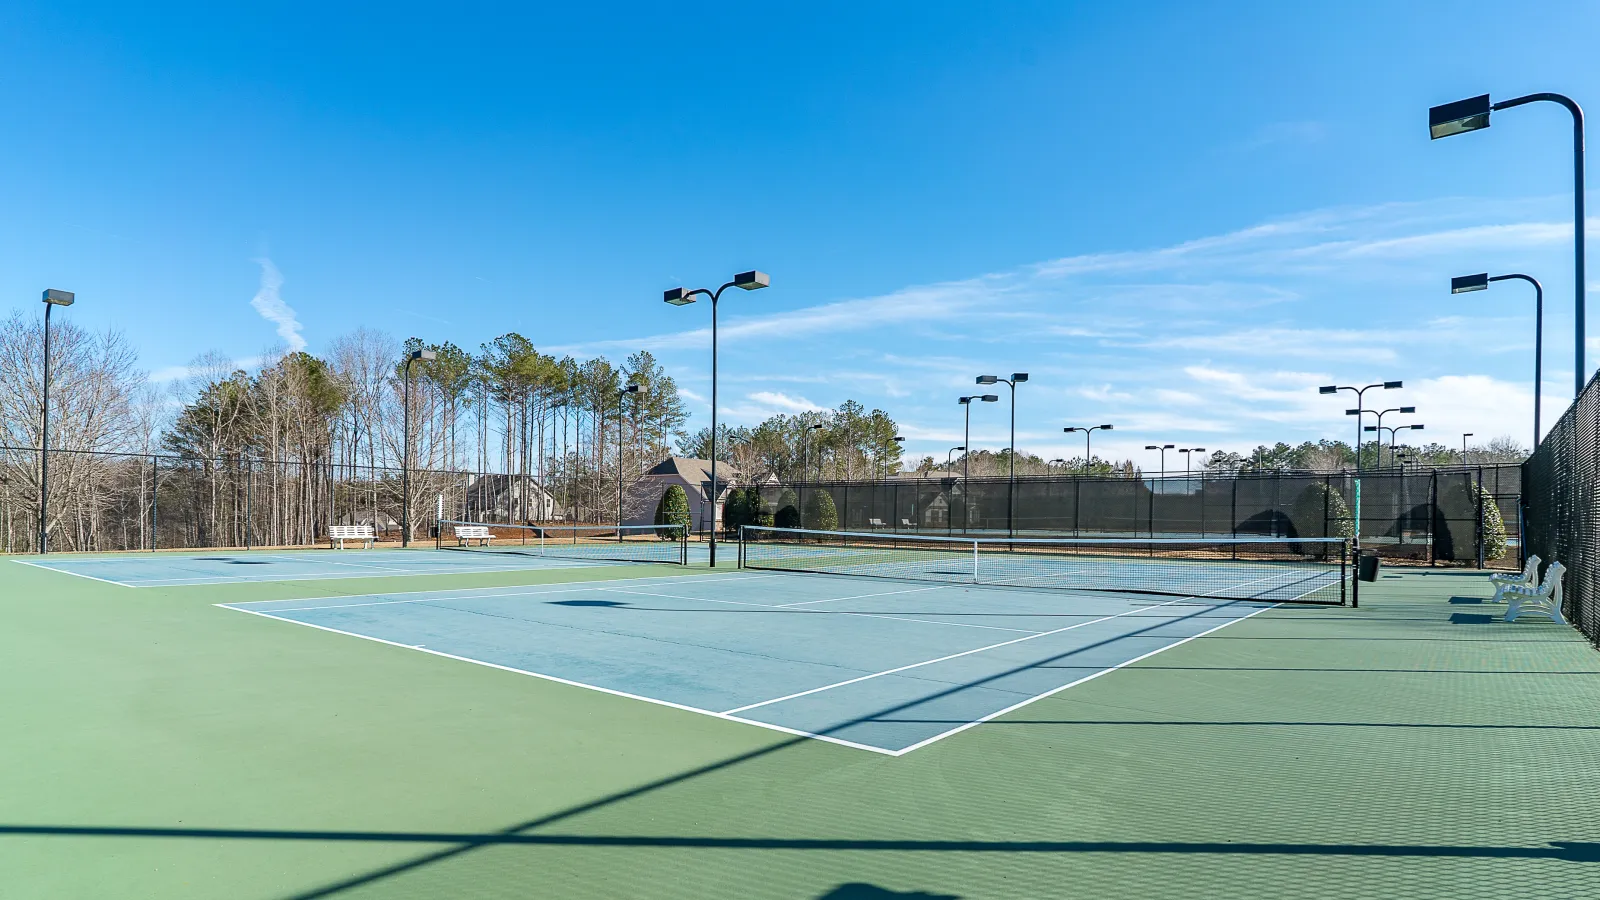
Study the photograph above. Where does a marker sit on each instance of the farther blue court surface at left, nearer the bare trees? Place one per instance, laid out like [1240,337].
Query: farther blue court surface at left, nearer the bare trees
[241,568]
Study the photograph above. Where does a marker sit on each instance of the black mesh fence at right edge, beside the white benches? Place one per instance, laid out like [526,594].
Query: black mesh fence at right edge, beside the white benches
[1564,507]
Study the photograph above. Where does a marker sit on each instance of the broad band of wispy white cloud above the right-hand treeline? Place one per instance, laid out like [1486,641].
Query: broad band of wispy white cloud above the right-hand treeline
[1220,340]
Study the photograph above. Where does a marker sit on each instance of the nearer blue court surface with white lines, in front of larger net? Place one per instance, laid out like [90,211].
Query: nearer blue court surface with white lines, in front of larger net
[870,664]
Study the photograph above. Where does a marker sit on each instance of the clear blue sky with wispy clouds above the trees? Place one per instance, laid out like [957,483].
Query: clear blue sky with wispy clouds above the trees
[1178,219]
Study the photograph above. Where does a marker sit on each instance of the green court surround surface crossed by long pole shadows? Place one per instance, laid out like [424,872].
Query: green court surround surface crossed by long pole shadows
[159,745]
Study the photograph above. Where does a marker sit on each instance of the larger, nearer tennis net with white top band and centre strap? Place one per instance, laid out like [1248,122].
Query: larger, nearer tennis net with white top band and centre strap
[1310,571]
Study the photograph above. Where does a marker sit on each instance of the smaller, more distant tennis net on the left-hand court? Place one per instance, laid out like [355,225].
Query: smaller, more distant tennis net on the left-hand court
[612,544]
